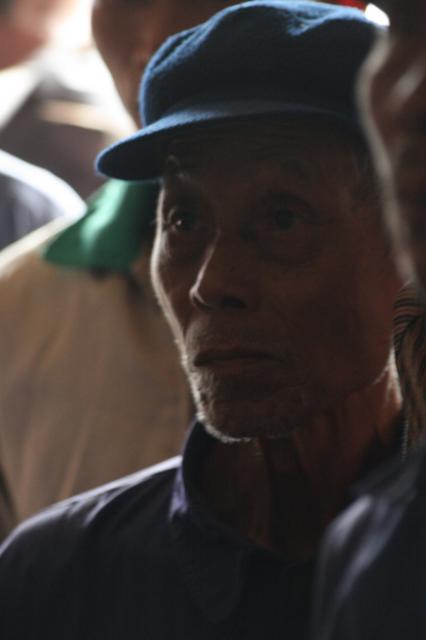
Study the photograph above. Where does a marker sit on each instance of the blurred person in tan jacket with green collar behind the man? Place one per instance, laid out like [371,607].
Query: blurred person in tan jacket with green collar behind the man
[90,383]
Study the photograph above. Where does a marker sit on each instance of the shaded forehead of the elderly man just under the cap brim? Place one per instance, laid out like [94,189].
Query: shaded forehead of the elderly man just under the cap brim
[299,147]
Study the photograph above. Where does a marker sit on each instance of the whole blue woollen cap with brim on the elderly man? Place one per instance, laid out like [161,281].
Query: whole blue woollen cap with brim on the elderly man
[251,60]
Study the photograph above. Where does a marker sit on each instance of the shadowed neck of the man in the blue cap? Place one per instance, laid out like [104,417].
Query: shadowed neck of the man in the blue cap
[281,493]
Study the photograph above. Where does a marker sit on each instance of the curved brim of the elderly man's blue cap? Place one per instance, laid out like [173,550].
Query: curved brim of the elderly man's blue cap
[141,156]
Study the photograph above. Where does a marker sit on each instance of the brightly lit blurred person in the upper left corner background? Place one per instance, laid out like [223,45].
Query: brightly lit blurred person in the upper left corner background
[51,112]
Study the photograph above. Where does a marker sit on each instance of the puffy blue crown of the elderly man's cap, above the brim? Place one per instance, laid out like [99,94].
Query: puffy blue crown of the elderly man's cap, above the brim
[306,47]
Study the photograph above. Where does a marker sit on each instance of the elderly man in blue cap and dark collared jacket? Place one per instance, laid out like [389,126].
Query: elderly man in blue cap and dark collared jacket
[273,271]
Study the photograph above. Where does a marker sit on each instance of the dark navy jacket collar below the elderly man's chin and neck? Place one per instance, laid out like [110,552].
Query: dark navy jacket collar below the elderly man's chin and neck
[214,559]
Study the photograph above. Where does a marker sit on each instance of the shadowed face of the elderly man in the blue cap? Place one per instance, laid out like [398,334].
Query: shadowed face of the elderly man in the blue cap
[273,273]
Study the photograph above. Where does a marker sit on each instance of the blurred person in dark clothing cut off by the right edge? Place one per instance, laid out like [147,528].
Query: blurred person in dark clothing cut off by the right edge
[372,580]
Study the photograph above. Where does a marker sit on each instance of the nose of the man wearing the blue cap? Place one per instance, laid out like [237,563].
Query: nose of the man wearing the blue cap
[226,278]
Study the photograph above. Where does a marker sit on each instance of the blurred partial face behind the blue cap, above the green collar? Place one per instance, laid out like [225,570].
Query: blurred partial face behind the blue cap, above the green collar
[127,32]
